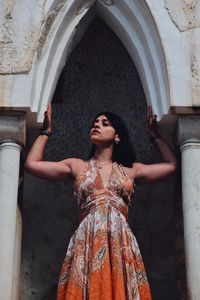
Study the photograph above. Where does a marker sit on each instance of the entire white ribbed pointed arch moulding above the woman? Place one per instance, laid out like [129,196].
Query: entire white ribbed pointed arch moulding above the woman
[134,24]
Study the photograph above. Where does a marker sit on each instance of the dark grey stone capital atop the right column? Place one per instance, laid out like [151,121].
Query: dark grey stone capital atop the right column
[188,129]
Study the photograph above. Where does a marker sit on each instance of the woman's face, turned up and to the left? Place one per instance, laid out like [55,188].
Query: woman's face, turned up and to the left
[102,131]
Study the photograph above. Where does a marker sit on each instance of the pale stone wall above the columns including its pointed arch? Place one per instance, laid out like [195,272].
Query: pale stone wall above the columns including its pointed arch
[168,64]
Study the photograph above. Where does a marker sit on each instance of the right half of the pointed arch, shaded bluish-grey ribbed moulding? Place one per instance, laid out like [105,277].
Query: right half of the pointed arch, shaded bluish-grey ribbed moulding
[134,24]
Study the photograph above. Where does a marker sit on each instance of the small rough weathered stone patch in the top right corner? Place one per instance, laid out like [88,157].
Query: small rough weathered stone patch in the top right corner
[184,13]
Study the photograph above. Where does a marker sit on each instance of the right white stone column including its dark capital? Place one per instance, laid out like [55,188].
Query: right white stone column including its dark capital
[189,139]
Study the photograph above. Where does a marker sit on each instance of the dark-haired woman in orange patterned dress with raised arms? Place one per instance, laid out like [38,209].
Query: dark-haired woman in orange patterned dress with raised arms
[103,261]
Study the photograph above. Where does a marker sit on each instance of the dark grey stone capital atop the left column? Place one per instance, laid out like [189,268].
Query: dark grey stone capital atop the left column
[12,127]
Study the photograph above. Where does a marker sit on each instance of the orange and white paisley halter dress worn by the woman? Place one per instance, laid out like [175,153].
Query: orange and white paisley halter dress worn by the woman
[103,261]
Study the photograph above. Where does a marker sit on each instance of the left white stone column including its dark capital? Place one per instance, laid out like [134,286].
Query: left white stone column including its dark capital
[12,132]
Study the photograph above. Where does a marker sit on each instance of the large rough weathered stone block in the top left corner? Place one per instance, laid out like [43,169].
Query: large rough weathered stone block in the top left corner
[19,34]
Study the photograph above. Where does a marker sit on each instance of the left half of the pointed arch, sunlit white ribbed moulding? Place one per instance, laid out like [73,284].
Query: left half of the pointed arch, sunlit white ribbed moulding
[63,27]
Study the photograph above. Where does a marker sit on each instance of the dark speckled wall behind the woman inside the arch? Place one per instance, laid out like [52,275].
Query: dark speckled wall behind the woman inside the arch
[98,76]
